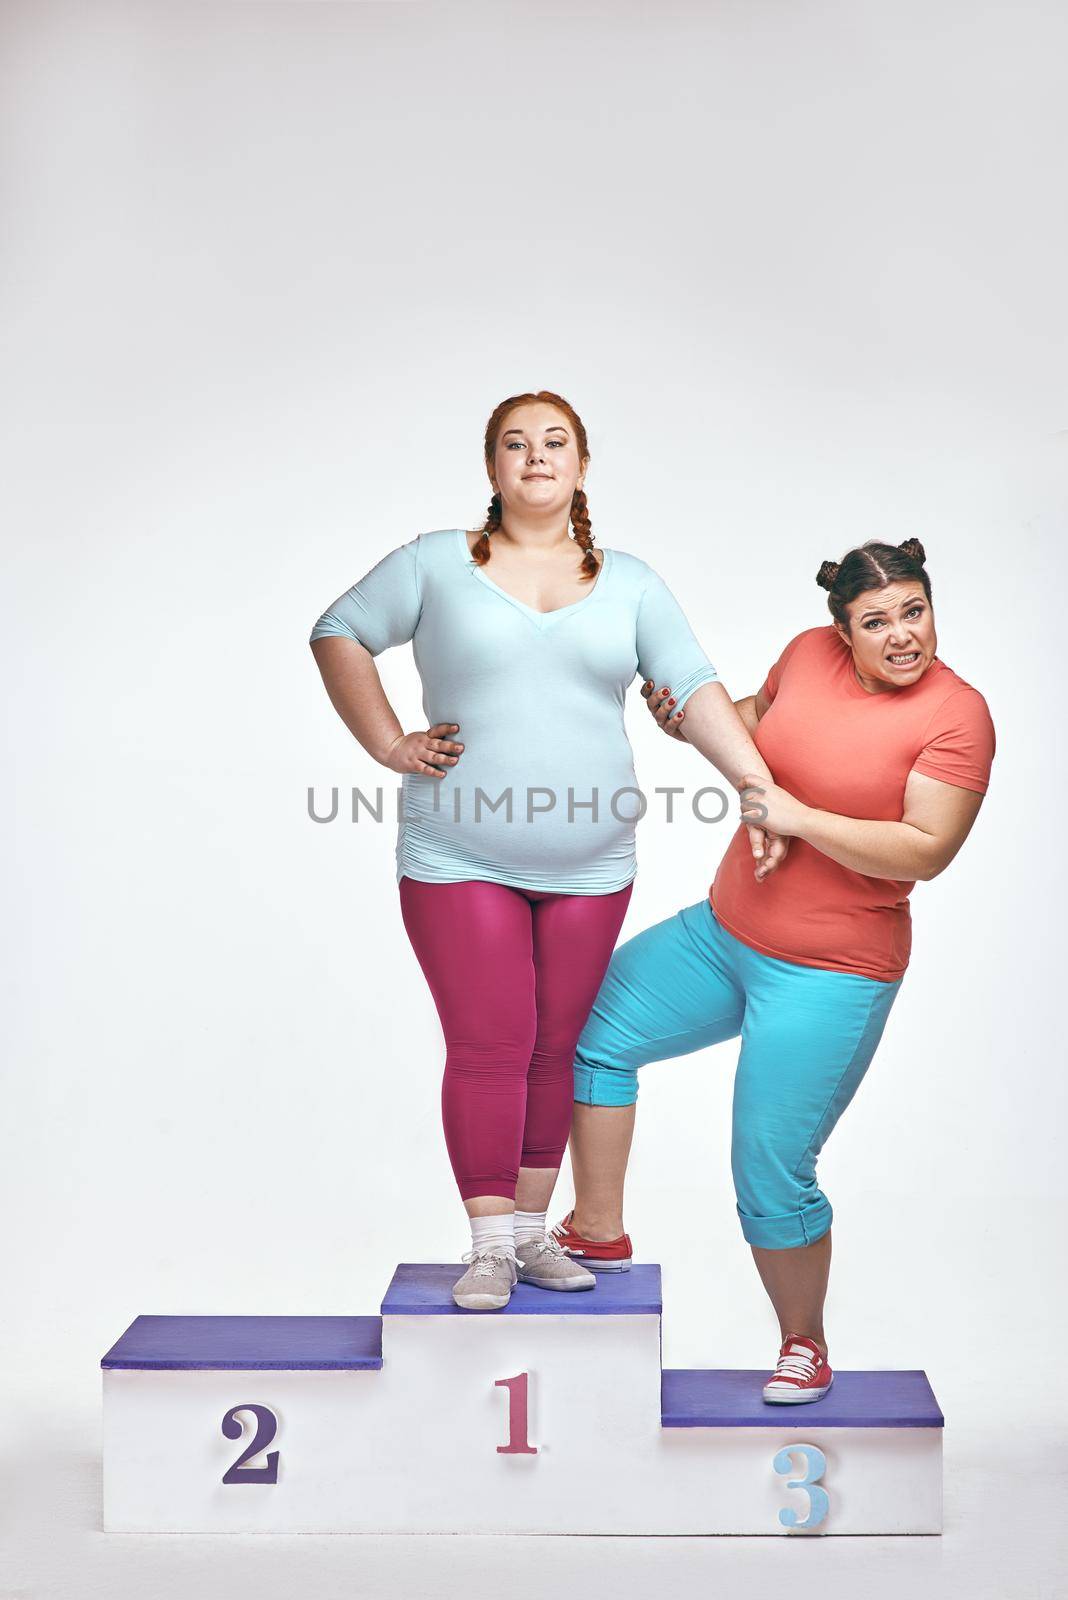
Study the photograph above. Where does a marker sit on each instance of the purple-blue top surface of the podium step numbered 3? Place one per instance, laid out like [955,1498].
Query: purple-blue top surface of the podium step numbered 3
[733,1399]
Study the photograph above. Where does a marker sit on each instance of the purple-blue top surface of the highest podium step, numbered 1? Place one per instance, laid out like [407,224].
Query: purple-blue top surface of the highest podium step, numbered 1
[428,1292]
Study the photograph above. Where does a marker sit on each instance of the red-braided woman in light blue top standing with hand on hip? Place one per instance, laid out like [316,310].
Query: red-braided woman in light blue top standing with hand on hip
[516,850]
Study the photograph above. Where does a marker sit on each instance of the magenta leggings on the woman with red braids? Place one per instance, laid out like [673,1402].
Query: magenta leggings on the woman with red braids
[514,975]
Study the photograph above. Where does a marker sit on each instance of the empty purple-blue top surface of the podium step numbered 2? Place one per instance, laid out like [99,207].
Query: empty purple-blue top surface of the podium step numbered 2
[249,1345]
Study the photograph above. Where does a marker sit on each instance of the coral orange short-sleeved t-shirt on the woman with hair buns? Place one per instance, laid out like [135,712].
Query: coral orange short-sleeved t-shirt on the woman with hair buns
[842,750]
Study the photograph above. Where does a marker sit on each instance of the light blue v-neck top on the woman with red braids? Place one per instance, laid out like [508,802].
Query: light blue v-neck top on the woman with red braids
[544,794]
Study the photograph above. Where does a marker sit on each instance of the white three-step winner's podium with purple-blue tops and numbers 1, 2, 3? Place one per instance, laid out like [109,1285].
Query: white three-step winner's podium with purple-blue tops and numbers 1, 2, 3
[549,1417]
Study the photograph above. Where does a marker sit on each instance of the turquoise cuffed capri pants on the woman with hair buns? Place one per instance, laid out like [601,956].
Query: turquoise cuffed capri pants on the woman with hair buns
[808,1038]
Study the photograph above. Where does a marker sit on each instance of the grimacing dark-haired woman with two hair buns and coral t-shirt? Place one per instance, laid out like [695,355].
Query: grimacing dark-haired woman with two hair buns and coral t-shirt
[882,759]
